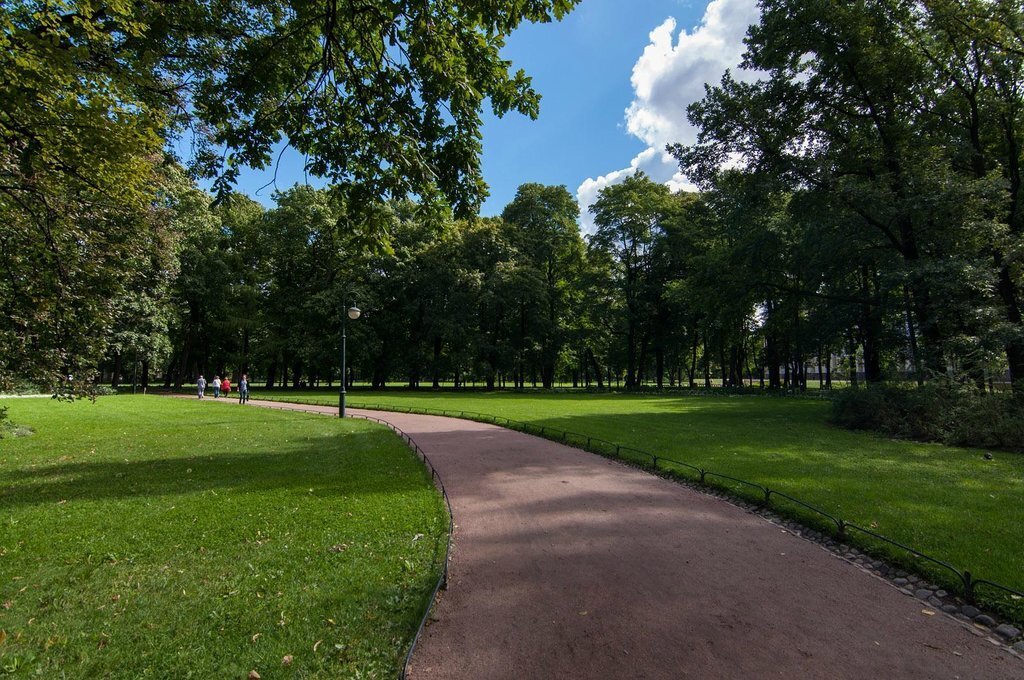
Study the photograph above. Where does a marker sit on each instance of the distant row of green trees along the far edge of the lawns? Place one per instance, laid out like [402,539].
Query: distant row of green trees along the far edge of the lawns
[660,295]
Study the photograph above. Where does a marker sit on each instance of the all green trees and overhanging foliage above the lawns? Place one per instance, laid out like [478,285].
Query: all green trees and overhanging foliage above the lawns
[861,209]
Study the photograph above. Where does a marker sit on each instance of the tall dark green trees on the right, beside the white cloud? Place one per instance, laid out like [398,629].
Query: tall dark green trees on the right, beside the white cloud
[880,159]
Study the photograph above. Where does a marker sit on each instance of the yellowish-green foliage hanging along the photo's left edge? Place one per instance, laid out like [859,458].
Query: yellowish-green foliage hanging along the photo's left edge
[81,144]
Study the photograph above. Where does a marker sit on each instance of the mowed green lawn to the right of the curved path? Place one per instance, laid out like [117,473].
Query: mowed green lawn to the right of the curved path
[948,502]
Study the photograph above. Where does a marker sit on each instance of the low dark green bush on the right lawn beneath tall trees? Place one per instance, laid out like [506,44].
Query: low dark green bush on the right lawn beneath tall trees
[947,412]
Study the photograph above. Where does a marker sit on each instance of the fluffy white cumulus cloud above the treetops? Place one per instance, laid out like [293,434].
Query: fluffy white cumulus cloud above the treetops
[668,77]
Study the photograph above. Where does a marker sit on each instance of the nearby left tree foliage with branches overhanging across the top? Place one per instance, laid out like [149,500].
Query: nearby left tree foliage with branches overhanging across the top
[383,98]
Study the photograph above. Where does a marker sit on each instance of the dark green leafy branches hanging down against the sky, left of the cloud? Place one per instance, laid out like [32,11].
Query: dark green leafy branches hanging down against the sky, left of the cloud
[385,100]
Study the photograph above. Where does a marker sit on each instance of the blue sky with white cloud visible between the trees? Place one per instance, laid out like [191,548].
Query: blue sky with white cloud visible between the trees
[616,77]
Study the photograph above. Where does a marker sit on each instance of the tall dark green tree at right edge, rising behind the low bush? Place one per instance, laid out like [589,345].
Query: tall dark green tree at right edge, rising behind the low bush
[883,114]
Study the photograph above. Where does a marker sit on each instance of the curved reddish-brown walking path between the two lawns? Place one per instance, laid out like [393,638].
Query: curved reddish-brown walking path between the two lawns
[569,566]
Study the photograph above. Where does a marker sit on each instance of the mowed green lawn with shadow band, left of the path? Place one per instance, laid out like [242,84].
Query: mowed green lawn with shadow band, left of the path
[151,537]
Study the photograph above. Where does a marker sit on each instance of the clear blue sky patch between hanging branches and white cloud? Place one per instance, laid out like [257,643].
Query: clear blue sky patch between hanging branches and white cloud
[582,68]
